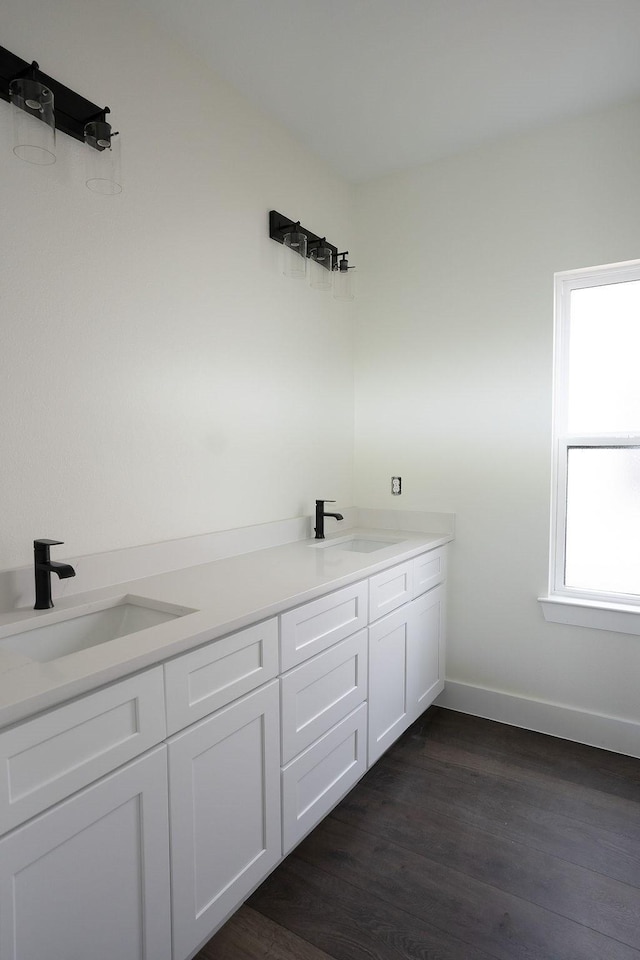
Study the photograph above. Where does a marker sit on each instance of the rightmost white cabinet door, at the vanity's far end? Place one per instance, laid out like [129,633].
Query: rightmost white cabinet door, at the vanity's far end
[426,650]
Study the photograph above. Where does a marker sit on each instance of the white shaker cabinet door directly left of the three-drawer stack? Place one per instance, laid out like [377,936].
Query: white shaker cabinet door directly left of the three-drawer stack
[224,788]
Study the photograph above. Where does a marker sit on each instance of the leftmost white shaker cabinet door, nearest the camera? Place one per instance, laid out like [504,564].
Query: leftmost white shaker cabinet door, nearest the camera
[90,877]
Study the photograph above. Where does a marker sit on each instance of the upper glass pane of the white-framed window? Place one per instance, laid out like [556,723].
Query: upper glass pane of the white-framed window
[604,386]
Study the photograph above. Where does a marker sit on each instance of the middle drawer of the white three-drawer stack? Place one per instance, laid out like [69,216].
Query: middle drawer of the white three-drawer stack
[320,692]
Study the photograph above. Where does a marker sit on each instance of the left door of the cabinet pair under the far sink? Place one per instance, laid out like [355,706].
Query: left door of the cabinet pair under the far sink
[389,694]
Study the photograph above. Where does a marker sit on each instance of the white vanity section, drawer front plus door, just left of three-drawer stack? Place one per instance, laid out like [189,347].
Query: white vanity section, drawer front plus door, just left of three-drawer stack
[224,779]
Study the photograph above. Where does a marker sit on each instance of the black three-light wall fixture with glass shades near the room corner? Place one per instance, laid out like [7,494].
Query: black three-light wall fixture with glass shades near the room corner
[305,254]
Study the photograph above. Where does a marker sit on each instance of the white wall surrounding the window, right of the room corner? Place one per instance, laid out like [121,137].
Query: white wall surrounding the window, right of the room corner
[453,382]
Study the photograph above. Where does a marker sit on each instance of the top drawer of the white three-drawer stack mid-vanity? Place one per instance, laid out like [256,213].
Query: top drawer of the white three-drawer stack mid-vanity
[314,626]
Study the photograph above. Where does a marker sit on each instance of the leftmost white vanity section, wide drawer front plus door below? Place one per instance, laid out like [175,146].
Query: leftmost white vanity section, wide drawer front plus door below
[89,876]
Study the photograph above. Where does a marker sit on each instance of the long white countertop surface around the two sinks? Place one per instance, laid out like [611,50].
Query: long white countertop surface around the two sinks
[226,595]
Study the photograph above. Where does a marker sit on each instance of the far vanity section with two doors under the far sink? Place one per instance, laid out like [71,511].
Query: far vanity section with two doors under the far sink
[406,648]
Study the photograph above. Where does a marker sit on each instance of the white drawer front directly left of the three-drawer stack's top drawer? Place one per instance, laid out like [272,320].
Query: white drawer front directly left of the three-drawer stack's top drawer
[214,675]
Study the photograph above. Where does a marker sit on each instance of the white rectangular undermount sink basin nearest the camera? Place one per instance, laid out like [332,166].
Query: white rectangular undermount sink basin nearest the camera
[68,631]
